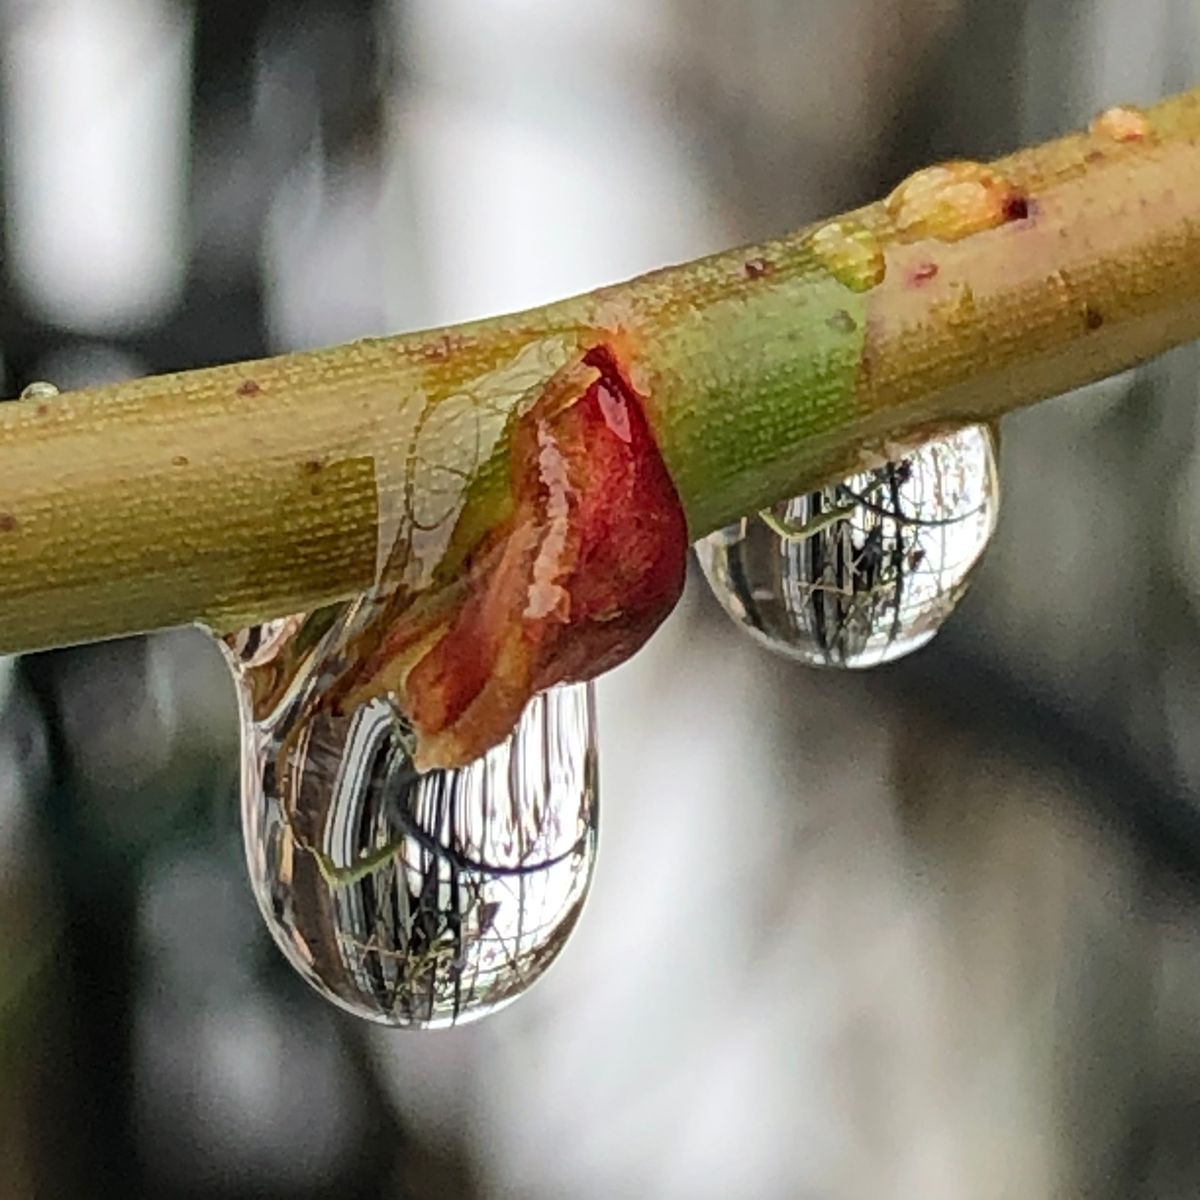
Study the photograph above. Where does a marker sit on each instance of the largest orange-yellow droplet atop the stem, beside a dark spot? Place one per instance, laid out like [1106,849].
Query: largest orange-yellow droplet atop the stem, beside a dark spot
[953,201]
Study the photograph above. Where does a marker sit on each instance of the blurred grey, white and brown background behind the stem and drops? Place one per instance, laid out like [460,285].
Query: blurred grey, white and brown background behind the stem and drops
[932,932]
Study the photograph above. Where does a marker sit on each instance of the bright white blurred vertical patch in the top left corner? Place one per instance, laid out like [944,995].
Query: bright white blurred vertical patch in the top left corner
[95,95]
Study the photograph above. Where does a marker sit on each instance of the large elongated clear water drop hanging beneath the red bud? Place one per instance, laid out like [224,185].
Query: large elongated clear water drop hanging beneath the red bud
[418,901]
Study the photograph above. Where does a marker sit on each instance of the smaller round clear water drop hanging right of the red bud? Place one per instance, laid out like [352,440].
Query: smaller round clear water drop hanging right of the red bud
[868,571]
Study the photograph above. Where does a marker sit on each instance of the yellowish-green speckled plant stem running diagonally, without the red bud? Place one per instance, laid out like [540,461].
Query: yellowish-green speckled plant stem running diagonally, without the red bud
[251,491]
